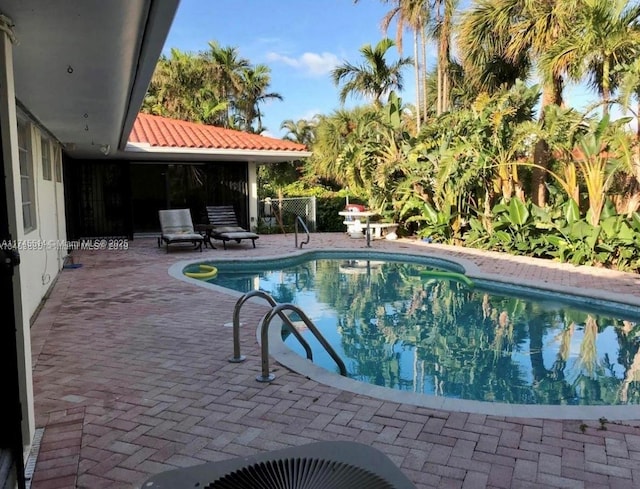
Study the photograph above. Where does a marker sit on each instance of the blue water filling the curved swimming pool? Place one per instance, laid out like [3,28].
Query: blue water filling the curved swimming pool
[397,325]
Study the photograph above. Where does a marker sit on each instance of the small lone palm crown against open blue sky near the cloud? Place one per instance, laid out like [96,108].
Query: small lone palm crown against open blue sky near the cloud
[374,78]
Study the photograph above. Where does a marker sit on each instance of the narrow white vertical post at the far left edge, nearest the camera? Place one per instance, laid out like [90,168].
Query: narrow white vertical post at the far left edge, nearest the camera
[9,134]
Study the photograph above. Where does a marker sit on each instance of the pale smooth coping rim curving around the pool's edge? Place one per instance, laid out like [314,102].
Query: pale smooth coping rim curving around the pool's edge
[294,362]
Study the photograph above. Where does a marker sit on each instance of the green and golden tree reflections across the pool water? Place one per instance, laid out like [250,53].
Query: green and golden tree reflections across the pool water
[469,344]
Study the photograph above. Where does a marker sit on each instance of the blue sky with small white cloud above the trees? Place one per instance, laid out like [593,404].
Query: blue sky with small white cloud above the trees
[300,40]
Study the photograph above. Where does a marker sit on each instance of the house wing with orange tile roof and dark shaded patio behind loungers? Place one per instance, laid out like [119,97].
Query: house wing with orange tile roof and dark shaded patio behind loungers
[168,164]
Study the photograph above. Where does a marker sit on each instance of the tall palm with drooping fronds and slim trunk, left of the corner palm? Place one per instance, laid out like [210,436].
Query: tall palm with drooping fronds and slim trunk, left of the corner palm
[520,30]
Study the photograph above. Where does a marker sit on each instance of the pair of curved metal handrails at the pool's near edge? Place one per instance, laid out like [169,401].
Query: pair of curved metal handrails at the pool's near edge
[278,310]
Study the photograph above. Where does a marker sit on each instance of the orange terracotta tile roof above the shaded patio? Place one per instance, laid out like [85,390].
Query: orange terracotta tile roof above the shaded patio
[171,133]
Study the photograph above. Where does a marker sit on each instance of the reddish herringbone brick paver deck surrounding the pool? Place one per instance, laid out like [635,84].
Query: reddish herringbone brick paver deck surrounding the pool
[131,378]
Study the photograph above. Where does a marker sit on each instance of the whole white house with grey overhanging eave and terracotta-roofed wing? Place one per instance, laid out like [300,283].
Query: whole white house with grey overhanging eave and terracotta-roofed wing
[79,161]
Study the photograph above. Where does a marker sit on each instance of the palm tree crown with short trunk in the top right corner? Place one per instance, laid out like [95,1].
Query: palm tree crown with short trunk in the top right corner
[606,34]
